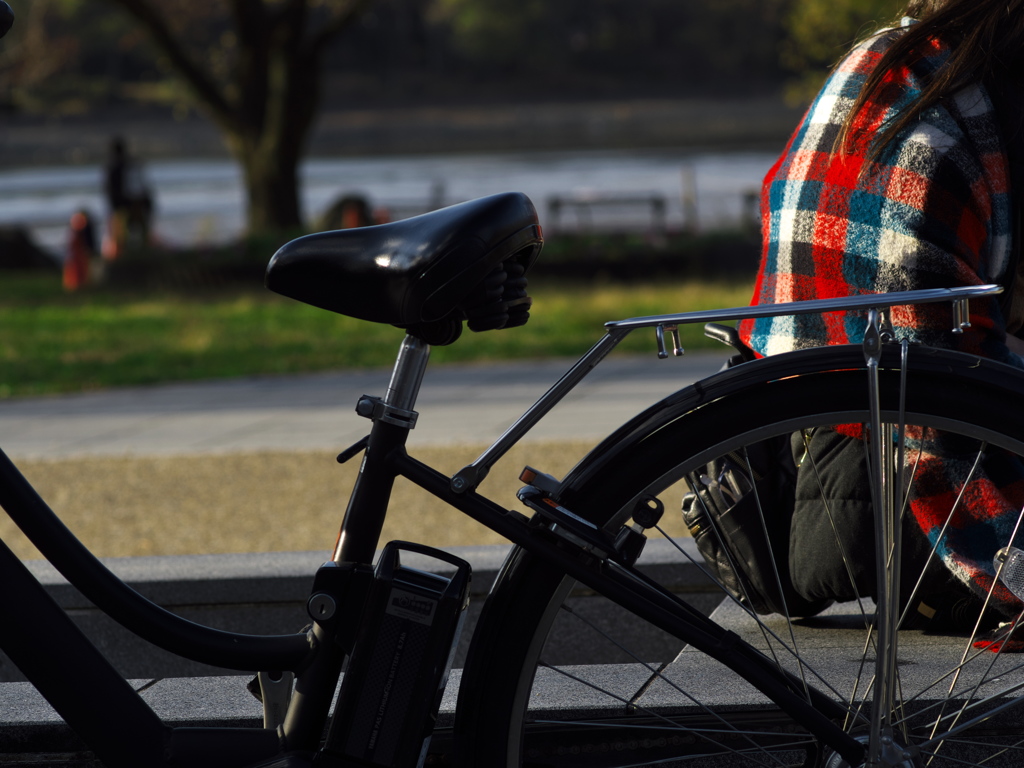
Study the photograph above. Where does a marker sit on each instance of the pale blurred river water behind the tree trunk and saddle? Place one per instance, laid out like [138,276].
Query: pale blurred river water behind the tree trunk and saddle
[201,201]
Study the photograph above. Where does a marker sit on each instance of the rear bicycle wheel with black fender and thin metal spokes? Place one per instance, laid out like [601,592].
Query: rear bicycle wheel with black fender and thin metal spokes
[639,698]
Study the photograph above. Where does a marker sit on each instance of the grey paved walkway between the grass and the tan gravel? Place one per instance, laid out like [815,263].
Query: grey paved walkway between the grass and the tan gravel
[458,404]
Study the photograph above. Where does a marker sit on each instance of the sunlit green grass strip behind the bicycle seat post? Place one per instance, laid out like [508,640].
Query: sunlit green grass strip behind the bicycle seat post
[55,343]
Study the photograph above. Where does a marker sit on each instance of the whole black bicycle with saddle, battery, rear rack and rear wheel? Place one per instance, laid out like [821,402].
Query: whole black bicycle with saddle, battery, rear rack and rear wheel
[779,692]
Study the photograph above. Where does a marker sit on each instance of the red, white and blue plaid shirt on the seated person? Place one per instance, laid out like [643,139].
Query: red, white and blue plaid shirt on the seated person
[932,210]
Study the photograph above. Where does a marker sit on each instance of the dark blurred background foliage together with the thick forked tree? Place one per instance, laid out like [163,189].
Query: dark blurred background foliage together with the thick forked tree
[263,71]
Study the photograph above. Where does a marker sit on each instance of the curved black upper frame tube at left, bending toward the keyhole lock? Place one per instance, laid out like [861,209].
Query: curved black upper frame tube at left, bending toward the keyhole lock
[129,608]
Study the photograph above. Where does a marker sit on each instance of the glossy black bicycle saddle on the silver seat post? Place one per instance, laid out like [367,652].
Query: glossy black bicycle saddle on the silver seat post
[425,274]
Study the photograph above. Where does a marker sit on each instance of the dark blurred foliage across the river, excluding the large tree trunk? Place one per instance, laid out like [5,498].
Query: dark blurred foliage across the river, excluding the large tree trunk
[76,56]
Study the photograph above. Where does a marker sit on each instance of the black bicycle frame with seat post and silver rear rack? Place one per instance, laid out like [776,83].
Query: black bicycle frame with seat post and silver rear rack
[68,670]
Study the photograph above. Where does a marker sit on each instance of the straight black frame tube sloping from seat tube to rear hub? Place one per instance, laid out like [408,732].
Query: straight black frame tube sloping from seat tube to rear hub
[652,603]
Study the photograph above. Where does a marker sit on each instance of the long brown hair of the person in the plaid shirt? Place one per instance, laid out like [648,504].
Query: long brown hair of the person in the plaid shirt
[986,40]
